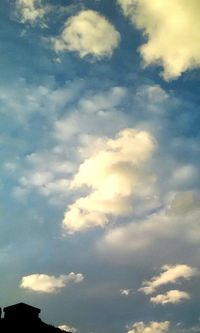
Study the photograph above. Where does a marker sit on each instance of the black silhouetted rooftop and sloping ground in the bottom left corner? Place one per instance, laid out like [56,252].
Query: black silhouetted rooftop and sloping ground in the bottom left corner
[23,318]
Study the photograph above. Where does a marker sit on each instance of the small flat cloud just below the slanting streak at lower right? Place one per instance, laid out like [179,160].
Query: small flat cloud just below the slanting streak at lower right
[172,296]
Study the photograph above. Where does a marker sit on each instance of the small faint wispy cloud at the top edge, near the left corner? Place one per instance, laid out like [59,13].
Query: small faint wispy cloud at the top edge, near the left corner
[30,10]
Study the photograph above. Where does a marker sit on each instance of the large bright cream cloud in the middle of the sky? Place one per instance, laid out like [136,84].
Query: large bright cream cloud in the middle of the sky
[114,172]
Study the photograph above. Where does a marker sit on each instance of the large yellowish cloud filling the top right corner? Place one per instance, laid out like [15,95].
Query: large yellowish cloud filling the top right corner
[172,31]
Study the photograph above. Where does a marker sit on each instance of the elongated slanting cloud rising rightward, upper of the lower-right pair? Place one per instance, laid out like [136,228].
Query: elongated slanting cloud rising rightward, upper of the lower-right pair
[170,274]
